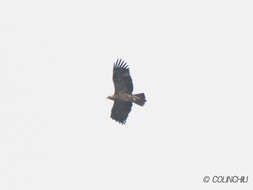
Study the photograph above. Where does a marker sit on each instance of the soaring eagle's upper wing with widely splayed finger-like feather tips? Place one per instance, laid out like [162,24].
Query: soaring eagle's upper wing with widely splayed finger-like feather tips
[121,78]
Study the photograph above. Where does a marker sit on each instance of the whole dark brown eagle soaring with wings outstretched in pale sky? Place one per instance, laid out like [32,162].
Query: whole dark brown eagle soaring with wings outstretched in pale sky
[123,97]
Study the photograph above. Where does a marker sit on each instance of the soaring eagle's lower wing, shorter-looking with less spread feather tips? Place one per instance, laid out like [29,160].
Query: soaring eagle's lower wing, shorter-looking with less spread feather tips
[120,111]
